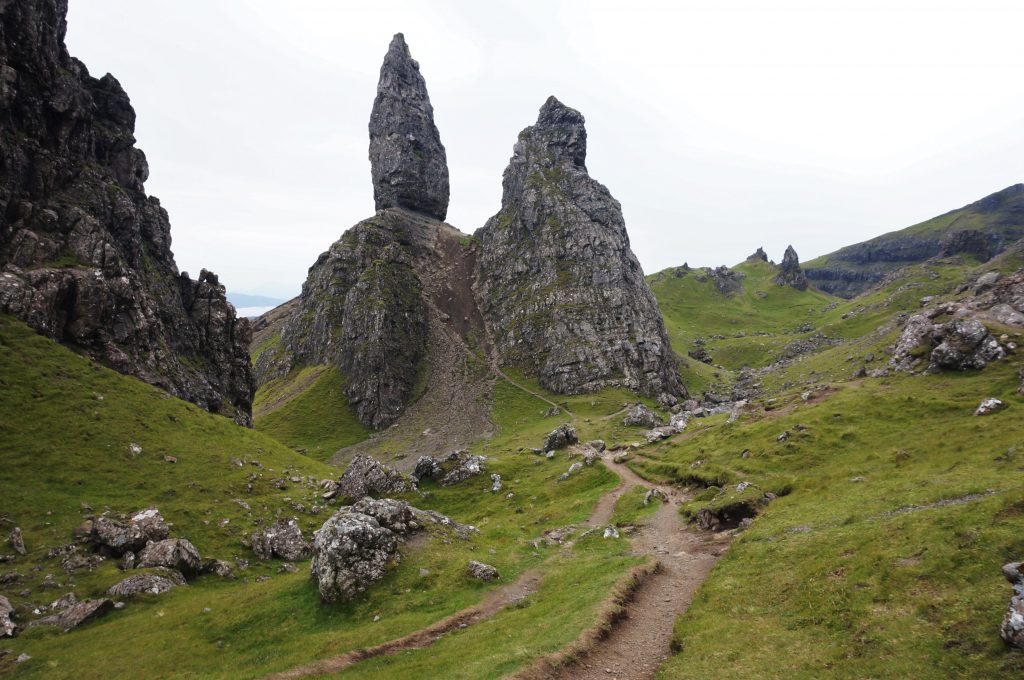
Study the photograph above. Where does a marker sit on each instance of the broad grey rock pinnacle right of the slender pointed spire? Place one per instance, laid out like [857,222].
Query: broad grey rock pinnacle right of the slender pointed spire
[562,292]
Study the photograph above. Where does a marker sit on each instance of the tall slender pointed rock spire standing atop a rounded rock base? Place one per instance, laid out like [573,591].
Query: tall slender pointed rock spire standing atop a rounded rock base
[407,158]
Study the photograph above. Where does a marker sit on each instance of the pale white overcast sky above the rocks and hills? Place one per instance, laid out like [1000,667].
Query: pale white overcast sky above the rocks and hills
[719,125]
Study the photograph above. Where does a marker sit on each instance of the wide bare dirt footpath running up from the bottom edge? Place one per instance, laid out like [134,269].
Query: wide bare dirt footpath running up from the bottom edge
[642,643]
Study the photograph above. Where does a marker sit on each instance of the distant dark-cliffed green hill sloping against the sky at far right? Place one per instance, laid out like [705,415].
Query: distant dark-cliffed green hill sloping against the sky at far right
[982,231]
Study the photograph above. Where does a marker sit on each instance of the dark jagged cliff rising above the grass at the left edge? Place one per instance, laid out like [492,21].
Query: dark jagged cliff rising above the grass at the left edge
[86,253]
